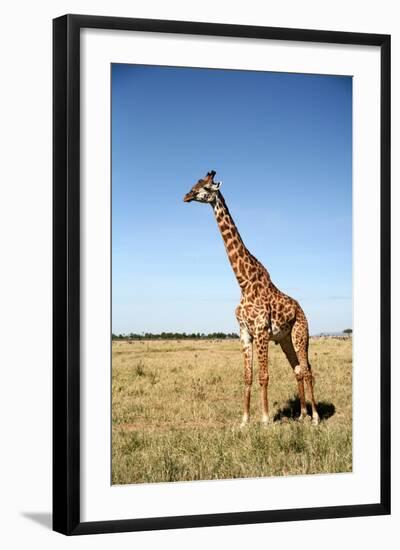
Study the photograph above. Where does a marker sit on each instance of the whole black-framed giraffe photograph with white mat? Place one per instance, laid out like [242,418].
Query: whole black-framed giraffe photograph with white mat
[221,274]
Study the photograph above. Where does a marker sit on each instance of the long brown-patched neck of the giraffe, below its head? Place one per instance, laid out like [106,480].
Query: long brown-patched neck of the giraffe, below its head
[244,265]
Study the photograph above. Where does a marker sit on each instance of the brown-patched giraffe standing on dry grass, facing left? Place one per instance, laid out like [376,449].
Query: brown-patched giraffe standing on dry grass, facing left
[264,313]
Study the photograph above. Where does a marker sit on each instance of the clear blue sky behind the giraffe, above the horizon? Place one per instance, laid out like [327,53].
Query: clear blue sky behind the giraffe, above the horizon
[282,146]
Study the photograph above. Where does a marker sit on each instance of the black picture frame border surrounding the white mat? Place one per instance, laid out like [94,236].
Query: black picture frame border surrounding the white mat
[66,274]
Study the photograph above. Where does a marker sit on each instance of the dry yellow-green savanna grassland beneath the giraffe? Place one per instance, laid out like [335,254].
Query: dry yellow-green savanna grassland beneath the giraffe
[176,412]
